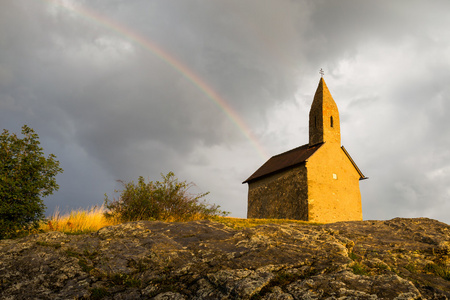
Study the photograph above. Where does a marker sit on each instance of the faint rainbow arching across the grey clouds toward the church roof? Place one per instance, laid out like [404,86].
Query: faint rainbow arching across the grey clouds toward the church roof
[174,63]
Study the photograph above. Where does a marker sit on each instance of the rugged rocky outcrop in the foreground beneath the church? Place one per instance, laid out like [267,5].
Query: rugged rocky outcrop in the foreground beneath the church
[395,259]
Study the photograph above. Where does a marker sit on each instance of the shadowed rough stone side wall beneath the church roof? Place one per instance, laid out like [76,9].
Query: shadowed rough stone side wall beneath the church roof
[280,196]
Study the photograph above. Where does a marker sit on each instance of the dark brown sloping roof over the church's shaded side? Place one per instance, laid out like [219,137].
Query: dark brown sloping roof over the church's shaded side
[284,161]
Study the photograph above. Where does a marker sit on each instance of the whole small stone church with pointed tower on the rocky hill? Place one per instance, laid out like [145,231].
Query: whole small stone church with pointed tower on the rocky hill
[317,182]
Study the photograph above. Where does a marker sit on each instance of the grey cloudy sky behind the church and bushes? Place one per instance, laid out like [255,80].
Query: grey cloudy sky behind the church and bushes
[210,89]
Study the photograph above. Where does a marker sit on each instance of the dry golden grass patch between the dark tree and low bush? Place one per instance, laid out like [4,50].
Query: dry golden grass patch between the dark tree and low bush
[78,221]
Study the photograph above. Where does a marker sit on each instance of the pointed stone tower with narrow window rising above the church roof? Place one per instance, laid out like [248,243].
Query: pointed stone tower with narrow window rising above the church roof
[324,125]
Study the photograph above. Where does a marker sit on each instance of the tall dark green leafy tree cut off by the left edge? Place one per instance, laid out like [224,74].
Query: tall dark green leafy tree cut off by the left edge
[25,176]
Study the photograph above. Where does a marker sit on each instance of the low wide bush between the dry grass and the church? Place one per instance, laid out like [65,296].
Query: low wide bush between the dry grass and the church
[166,200]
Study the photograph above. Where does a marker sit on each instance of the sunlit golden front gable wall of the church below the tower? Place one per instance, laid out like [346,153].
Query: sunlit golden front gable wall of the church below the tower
[333,186]
